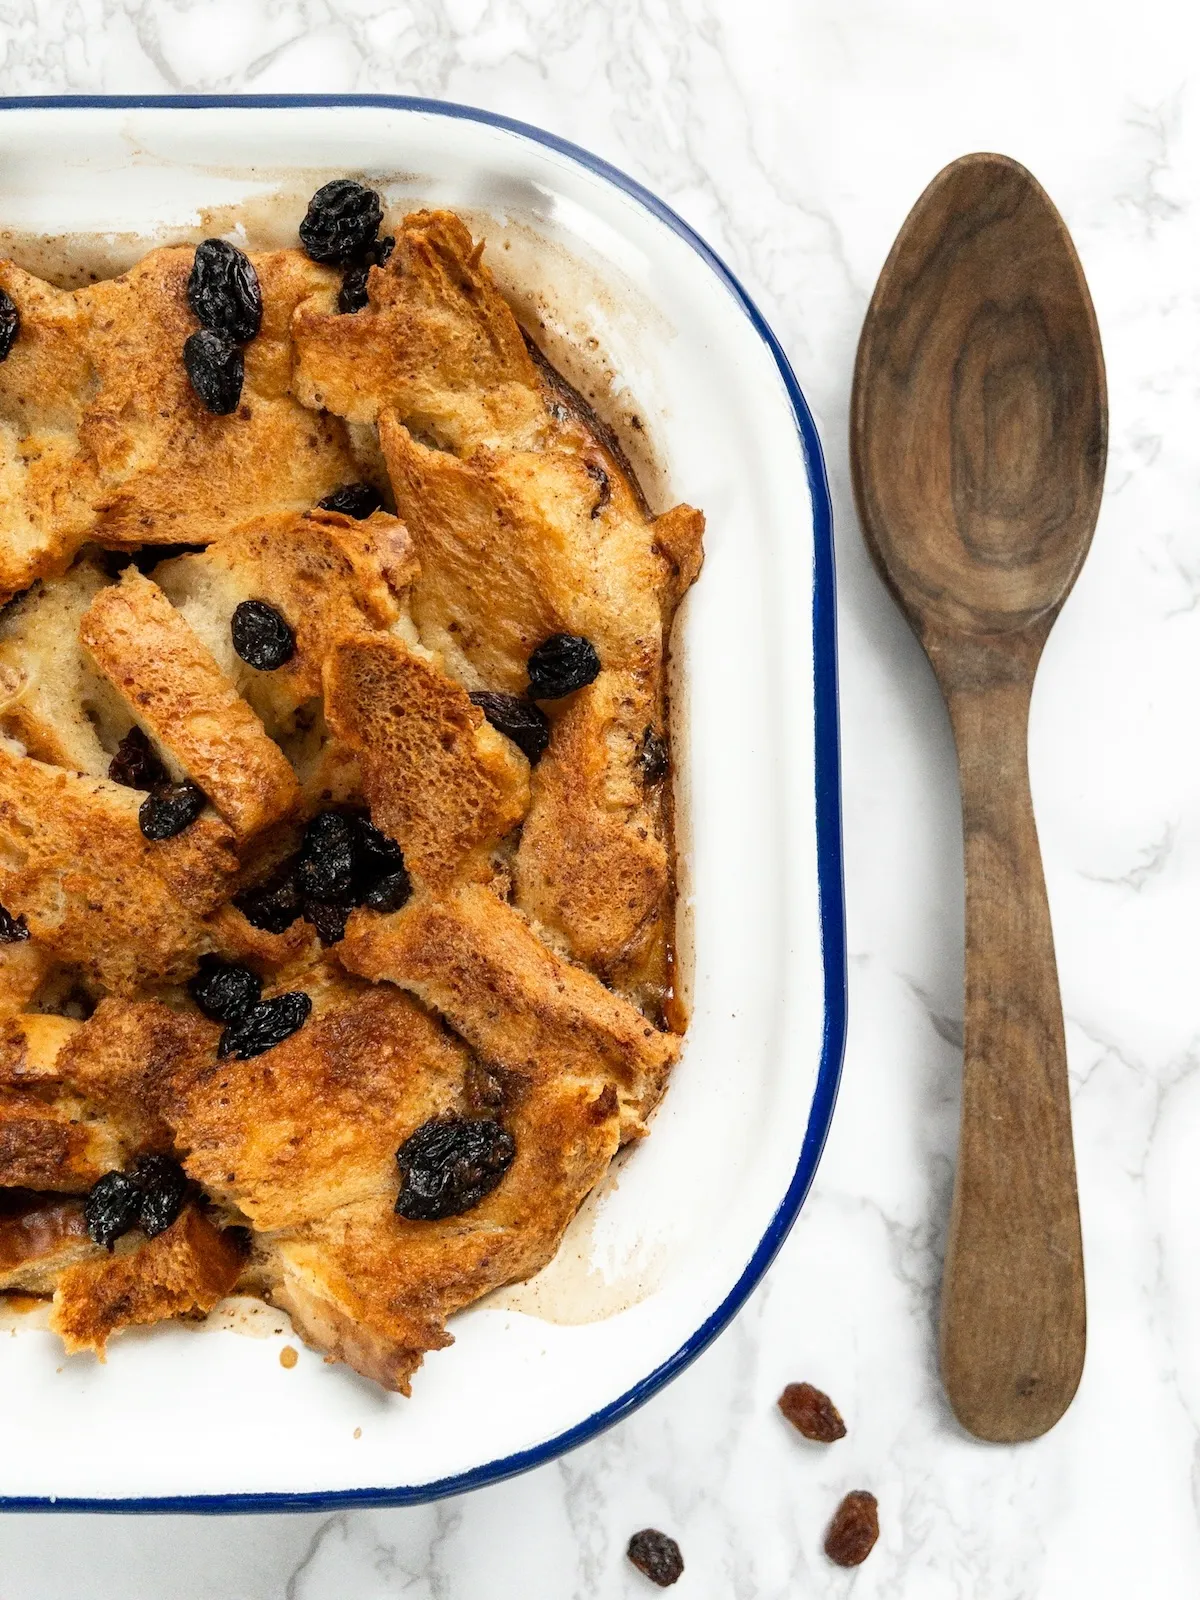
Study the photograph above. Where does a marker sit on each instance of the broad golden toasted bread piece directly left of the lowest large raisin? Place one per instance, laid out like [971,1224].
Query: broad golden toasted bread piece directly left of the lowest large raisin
[316,1122]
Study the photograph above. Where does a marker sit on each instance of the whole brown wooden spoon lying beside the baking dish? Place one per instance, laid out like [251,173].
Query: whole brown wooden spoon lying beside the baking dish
[978,446]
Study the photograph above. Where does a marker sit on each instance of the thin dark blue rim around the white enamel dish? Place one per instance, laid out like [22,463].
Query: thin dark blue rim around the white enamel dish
[828,839]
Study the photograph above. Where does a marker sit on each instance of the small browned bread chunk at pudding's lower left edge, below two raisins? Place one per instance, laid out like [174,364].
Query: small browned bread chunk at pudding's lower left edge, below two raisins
[183,1273]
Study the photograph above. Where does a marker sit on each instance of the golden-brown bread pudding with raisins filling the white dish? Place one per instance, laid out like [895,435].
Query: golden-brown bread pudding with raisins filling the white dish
[337,870]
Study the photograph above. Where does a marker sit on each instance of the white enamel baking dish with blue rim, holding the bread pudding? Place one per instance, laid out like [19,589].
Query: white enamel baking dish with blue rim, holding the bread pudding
[207,1418]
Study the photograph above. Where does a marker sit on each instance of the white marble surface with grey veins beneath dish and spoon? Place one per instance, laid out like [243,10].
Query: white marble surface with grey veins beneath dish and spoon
[796,134]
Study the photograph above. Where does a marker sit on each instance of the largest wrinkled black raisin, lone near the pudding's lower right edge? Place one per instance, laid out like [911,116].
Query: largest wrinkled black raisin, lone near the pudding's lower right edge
[449,1166]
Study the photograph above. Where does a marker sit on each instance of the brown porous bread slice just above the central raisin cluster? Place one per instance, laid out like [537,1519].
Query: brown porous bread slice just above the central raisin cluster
[436,775]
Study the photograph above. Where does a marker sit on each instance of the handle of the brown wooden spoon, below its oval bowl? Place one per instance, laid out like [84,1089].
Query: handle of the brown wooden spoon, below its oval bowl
[1014,1324]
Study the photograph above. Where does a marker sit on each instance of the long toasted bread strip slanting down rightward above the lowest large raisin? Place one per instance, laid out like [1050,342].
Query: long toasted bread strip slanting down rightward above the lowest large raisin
[521,1006]
